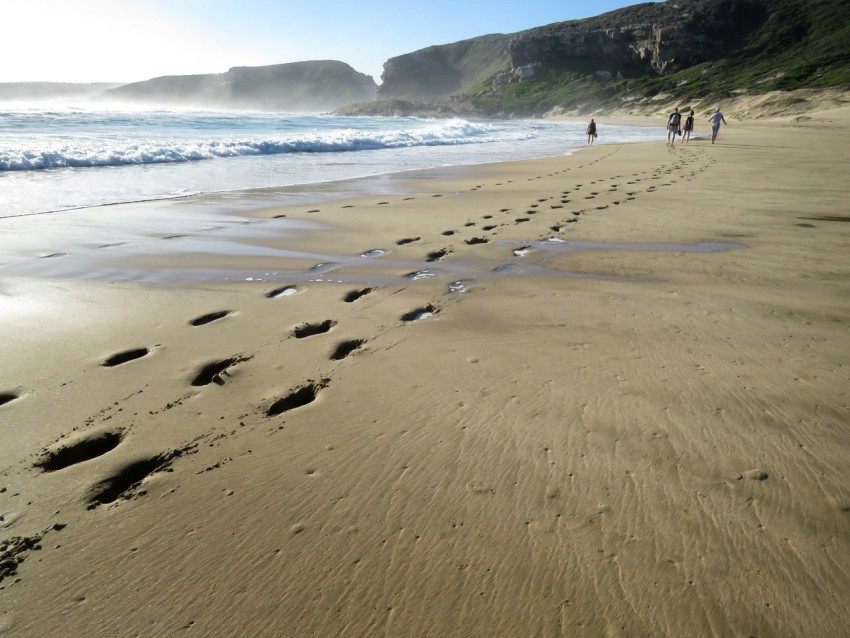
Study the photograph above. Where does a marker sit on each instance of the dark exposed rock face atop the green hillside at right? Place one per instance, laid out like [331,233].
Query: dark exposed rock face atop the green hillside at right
[653,38]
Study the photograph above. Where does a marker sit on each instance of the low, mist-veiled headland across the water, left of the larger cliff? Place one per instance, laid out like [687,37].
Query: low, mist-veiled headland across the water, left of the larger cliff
[298,86]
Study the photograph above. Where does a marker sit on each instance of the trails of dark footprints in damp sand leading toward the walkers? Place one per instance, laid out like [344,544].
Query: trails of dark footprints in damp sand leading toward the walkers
[127,481]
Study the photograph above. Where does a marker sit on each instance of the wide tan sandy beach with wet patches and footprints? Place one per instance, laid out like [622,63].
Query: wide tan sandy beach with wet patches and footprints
[603,394]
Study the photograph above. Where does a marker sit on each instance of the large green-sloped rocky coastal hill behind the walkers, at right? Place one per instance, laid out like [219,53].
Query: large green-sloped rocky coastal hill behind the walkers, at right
[638,59]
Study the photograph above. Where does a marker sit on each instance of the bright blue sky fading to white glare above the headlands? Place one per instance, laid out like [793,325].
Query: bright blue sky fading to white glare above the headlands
[130,40]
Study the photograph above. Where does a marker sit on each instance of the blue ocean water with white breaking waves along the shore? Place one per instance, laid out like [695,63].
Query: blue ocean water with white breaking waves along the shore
[60,158]
